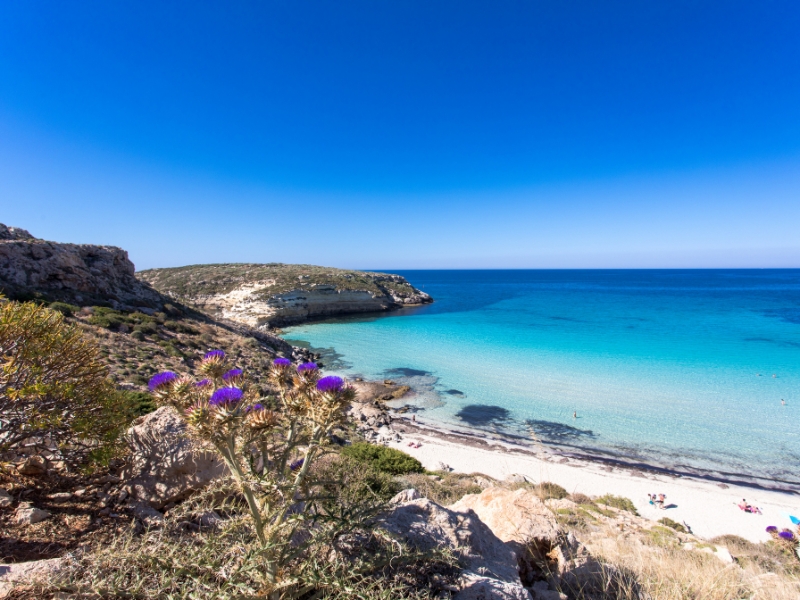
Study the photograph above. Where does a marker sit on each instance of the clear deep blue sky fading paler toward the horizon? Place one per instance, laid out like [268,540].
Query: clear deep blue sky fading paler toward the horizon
[406,134]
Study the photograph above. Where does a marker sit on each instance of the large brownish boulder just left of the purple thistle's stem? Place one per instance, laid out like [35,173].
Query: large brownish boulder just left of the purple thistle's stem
[166,464]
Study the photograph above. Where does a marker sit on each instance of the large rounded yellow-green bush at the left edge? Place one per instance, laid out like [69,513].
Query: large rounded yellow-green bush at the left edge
[53,386]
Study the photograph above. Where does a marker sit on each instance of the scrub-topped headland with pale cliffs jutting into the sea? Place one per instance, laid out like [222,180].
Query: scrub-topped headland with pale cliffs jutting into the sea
[277,294]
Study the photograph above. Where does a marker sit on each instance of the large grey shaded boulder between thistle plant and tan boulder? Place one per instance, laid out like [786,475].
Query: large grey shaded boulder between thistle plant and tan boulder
[426,525]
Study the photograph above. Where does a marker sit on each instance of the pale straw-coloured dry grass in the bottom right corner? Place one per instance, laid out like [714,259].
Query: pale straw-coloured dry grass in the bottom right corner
[670,572]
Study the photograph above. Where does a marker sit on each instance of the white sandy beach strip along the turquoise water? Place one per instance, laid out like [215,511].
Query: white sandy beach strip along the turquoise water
[709,509]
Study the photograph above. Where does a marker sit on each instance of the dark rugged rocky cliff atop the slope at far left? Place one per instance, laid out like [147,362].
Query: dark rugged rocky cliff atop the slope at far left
[81,274]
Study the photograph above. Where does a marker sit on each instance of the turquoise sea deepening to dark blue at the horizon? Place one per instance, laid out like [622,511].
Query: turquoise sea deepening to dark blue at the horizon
[676,369]
